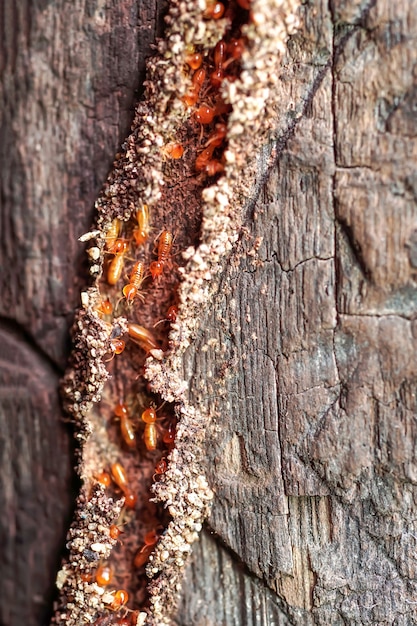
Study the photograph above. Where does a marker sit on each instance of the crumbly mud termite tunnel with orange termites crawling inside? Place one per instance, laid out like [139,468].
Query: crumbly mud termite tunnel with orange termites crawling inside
[167,217]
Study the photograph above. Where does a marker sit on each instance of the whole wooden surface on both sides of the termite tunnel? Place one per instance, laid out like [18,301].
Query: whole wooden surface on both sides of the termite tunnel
[312,452]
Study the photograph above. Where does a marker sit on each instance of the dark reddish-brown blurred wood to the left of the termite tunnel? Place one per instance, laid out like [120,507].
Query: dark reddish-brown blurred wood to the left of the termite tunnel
[70,73]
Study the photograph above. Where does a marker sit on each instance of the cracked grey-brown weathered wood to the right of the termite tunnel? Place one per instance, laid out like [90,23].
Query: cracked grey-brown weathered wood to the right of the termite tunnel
[308,356]
